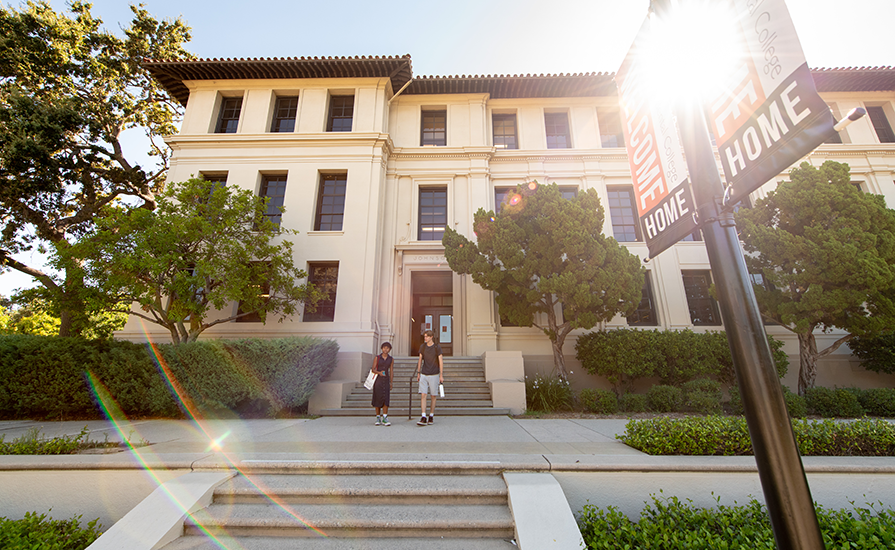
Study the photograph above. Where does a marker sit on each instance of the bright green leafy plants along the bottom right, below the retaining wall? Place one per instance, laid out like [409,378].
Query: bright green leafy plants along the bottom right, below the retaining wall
[670,524]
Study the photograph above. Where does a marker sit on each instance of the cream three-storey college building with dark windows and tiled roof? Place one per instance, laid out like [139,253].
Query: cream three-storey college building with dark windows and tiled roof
[371,164]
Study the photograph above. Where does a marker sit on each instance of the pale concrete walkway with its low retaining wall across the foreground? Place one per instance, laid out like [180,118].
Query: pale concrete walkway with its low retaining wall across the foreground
[582,454]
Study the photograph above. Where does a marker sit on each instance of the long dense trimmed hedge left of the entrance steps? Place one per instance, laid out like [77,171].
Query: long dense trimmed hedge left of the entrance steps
[46,376]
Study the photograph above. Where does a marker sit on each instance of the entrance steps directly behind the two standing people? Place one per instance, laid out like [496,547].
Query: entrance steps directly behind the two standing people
[466,391]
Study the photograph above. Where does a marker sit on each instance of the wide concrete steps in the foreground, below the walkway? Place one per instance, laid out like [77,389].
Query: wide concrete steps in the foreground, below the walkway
[370,508]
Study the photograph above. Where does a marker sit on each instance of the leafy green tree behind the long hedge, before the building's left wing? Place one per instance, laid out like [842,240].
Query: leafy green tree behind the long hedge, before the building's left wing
[205,246]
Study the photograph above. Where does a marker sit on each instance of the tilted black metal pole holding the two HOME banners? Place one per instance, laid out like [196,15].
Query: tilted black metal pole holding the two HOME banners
[783,480]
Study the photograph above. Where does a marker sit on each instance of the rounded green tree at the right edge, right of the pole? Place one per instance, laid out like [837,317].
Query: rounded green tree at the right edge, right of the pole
[826,252]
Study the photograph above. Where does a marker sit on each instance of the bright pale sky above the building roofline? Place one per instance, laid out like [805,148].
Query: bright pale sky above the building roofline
[476,37]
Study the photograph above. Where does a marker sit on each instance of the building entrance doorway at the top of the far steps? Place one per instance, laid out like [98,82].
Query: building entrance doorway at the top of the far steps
[432,310]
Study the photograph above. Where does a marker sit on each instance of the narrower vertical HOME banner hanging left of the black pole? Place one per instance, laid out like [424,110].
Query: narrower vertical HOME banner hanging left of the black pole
[664,200]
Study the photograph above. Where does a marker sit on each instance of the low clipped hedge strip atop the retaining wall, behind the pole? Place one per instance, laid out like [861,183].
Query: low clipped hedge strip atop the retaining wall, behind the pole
[729,436]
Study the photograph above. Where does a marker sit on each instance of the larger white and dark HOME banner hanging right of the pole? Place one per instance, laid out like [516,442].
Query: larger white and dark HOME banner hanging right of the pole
[770,115]
